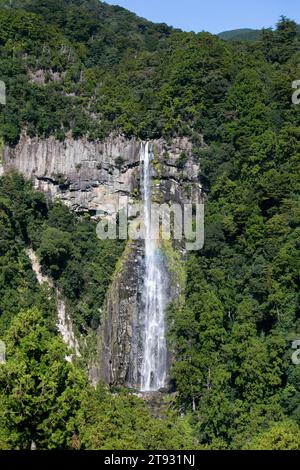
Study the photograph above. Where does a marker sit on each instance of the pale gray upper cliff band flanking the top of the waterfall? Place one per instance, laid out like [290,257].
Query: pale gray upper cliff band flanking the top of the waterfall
[91,176]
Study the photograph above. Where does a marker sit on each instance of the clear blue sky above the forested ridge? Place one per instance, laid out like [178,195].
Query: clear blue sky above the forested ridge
[213,15]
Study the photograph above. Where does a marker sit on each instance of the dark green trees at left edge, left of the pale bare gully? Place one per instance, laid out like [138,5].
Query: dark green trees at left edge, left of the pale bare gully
[21,213]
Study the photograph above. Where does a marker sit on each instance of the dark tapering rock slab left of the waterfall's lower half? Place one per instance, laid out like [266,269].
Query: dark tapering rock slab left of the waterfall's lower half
[118,352]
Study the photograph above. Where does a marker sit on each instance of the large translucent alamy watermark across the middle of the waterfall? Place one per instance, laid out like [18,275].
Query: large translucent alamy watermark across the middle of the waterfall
[181,222]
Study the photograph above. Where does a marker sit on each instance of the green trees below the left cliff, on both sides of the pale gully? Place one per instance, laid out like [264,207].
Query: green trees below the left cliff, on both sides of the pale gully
[67,245]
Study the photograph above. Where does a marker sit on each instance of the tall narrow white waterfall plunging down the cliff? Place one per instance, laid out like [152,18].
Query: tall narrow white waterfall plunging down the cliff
[154,358]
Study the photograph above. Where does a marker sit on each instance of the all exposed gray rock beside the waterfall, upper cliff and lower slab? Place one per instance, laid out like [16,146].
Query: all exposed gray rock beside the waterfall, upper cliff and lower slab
[91,177]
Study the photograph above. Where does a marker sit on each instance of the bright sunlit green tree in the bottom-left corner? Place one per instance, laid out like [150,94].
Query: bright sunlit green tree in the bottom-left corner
[39,391]
